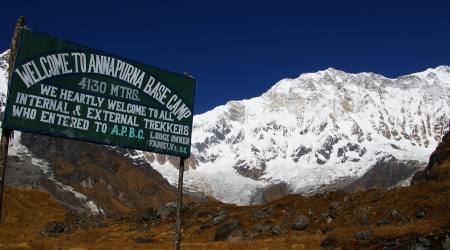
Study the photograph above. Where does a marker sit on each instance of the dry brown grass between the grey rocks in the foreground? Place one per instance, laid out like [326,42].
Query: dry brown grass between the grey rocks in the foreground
[27,211]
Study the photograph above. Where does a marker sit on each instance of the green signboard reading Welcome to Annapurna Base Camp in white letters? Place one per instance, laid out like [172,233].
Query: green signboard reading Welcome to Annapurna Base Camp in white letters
[60,88]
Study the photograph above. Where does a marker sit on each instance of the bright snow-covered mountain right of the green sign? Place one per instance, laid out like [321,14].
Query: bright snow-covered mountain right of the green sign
[315,130]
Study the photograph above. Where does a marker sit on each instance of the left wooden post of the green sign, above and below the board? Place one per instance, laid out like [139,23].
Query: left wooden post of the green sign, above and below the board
[6,133]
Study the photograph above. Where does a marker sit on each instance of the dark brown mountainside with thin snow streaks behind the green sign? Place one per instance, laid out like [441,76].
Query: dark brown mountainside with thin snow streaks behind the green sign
[83,176]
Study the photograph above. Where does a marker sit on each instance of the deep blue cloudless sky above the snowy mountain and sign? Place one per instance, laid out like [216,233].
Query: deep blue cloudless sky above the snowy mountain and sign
[239,49]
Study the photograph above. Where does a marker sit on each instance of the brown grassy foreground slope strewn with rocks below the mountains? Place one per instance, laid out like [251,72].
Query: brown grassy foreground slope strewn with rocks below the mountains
[414,217]
